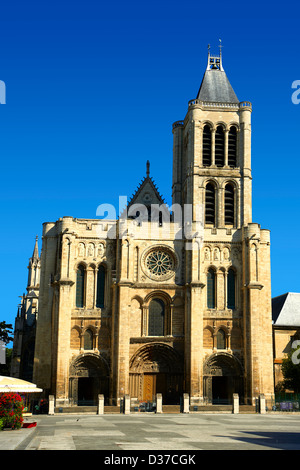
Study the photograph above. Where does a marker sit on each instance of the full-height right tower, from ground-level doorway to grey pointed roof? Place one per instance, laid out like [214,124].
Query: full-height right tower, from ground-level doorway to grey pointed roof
[228,286]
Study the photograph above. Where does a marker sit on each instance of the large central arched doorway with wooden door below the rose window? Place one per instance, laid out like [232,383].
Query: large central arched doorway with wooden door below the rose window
[156,368]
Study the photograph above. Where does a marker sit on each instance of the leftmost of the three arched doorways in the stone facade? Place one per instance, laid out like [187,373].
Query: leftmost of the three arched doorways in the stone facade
[89,377]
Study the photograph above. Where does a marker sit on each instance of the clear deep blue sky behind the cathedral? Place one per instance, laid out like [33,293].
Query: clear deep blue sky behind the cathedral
[92,91]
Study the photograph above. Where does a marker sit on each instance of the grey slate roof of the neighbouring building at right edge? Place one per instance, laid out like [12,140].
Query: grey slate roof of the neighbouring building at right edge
[286,309]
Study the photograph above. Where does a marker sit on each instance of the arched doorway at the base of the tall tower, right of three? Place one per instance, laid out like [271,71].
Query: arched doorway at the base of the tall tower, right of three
[222,377]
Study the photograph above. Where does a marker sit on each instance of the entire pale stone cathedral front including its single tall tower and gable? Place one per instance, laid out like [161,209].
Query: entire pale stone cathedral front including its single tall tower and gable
[138,306]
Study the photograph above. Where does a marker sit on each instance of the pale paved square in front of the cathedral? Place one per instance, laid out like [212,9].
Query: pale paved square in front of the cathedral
[153,432]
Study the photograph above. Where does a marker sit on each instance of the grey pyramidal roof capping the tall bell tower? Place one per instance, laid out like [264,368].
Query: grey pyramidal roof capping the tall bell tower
[215,86]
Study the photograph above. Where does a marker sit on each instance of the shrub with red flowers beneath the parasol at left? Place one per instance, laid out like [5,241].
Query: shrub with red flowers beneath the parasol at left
[11,407]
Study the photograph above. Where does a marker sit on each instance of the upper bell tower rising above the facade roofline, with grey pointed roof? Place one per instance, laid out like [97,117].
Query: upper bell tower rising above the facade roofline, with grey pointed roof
[212,152]
